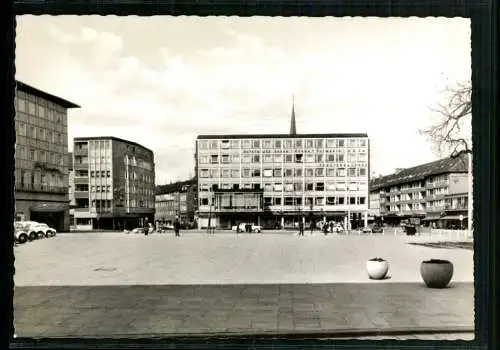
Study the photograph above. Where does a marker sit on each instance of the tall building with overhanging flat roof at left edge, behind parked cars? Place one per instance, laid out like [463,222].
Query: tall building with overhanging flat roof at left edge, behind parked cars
[41,167]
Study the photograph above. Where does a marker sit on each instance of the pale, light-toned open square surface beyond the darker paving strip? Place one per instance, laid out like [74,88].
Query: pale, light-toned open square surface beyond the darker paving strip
[198,258]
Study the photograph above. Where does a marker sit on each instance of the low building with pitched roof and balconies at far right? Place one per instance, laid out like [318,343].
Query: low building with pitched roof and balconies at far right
[435,192]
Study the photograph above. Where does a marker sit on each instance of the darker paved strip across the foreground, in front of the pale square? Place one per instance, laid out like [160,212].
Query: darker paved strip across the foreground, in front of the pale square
[120,311]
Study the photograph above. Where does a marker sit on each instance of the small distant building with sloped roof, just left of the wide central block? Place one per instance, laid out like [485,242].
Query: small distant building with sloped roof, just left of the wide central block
[177,199]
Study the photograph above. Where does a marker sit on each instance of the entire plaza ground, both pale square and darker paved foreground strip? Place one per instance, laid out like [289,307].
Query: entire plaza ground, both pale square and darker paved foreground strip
[119,284]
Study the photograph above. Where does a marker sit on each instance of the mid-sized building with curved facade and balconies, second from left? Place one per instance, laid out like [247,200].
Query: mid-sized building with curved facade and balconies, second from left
[113,183]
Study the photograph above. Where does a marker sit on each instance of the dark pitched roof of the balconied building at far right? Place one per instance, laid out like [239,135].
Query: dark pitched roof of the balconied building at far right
[420,172]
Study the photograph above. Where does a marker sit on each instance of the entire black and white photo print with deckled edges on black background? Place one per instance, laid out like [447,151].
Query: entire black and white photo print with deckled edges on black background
[287,176]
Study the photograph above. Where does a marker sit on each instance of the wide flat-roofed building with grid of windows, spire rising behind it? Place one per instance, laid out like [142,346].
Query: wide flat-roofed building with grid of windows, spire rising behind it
[275,180]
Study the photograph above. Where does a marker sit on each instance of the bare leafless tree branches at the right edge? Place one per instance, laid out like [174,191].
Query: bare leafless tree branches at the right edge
[448,133]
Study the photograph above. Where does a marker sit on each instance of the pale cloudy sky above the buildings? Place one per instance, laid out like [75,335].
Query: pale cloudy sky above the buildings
[161,81]
